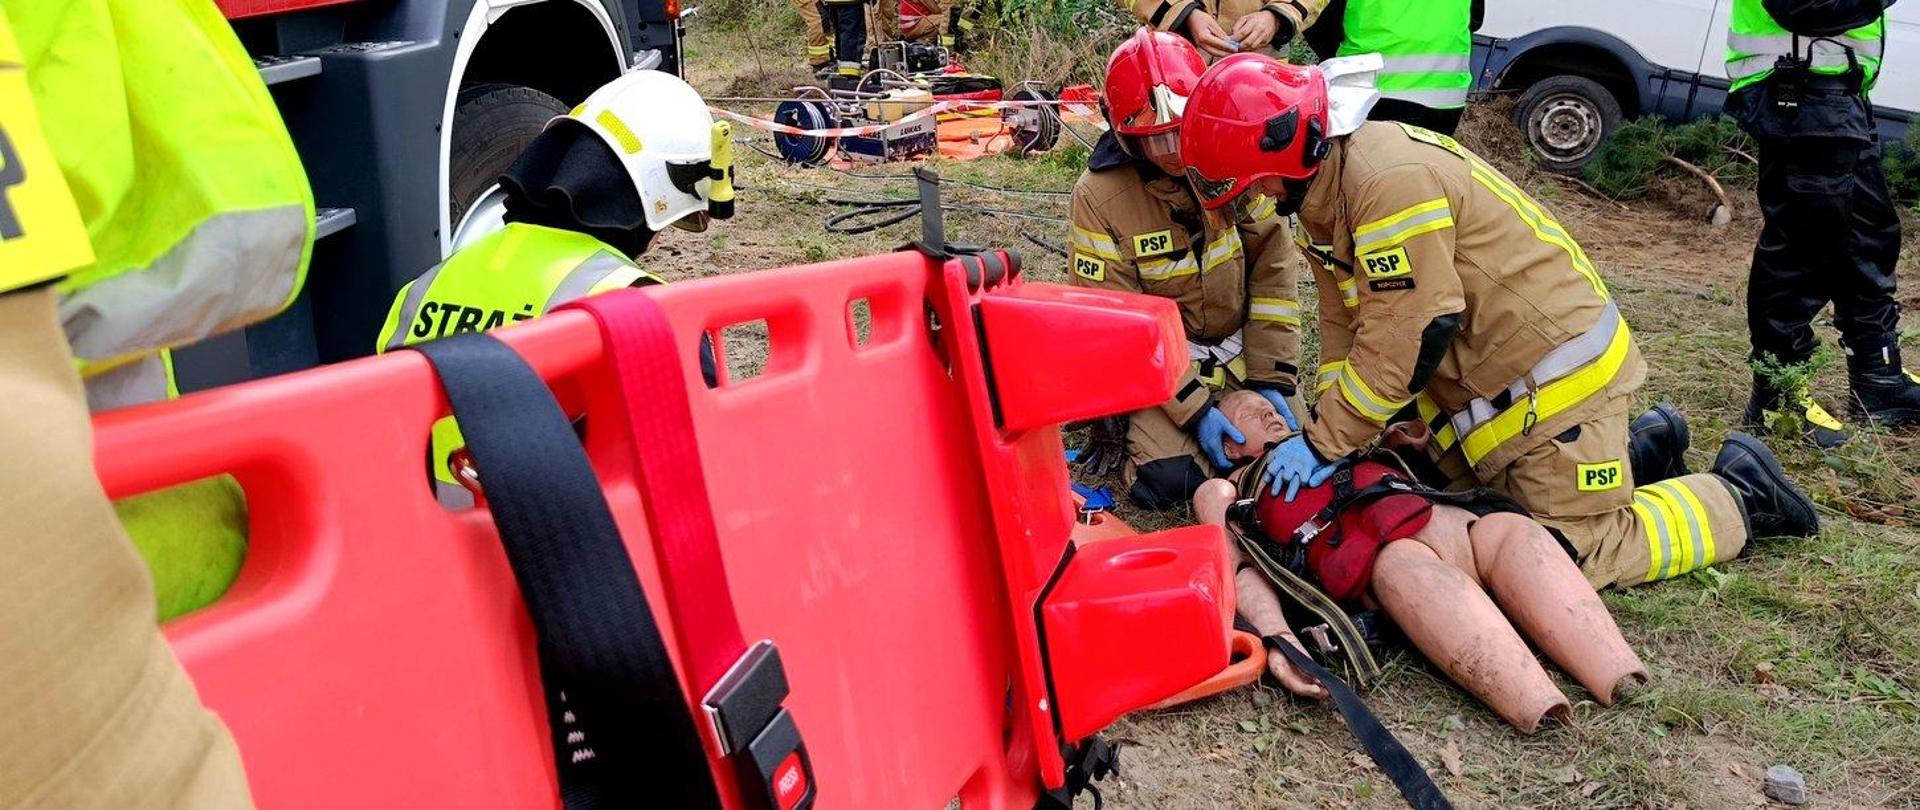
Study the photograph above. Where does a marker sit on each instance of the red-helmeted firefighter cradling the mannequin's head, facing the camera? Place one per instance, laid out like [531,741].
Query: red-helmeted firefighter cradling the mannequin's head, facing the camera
[1140,227]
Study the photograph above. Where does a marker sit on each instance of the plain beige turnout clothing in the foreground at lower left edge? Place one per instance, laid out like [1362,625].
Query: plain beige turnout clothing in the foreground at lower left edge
[95,711]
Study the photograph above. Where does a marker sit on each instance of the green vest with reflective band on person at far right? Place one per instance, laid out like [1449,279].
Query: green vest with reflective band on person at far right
[1756,43]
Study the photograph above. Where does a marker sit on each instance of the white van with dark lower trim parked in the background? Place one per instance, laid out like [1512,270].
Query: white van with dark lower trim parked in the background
[1581,66]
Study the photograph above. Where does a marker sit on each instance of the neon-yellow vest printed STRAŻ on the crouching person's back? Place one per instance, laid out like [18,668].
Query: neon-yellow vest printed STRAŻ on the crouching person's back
[512,275]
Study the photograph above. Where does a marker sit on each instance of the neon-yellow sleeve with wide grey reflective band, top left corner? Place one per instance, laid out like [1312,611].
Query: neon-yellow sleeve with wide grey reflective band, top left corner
[195,202]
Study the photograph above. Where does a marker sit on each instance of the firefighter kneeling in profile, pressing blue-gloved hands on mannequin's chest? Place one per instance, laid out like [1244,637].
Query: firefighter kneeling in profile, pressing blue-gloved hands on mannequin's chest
[1449,293]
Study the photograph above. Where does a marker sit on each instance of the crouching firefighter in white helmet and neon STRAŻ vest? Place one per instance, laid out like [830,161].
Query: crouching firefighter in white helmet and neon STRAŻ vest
[583,202]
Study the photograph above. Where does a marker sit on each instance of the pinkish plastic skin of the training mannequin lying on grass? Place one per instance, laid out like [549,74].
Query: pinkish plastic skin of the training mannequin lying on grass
[1464,588]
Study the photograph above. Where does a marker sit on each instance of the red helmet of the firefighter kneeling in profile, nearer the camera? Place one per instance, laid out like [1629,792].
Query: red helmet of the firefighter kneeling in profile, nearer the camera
[1253,118]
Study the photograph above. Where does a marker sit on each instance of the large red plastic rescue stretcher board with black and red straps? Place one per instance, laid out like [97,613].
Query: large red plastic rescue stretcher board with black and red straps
[930,634]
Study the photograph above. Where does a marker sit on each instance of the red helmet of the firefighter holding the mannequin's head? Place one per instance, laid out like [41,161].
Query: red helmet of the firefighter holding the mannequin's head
[1147,83]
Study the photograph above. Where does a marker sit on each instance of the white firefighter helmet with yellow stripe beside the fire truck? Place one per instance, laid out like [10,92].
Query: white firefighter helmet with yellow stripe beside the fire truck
[663,135]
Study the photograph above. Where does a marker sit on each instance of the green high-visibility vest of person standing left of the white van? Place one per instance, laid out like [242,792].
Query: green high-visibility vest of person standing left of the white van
[1428,47]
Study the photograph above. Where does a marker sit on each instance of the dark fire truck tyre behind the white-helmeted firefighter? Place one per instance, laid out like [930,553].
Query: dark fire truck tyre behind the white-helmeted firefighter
[492,124]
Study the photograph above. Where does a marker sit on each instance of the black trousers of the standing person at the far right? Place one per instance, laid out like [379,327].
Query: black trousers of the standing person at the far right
[1831,235]
